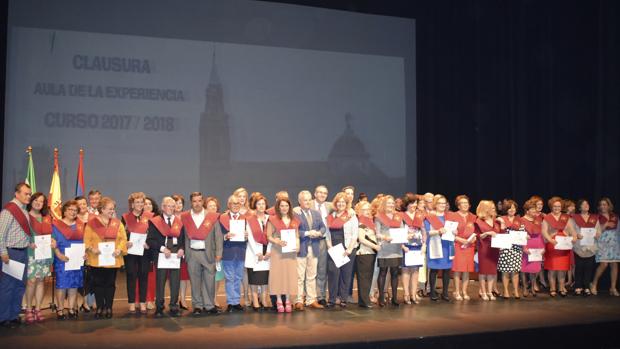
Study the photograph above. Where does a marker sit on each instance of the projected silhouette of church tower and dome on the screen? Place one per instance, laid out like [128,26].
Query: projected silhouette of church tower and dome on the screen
[348,161]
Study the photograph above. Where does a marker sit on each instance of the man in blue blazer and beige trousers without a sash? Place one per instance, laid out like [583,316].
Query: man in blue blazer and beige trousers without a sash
[311,230]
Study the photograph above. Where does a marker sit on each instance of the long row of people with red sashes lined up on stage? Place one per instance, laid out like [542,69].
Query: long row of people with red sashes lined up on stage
[297,256]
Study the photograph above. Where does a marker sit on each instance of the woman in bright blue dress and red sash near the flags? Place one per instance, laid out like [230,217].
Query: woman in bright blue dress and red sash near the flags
[66,233]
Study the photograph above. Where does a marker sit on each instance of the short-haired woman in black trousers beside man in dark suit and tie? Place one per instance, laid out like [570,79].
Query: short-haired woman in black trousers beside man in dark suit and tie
[137,260]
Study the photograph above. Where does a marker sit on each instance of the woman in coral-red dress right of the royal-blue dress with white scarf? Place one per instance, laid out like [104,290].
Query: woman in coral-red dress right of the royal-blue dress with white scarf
[464,246]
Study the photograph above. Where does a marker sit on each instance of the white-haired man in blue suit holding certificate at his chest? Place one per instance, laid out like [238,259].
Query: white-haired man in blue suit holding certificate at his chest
[232,225]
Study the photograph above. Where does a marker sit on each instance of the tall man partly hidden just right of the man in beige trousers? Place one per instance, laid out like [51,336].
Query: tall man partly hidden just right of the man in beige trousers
[320,204]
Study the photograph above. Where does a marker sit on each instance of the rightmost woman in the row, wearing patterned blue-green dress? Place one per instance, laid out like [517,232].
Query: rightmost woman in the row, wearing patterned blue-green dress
[608,246]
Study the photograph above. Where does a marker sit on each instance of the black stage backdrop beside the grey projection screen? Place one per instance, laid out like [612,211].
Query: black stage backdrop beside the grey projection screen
[514,98]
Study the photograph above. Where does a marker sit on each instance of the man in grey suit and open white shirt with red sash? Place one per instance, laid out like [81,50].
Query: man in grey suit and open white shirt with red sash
[204,244]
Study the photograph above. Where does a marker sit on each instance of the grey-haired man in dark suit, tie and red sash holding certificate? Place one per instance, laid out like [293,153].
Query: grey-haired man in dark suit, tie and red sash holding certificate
[166,238]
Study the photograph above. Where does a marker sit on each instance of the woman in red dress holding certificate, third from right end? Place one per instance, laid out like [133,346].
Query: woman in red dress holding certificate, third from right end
[559,236]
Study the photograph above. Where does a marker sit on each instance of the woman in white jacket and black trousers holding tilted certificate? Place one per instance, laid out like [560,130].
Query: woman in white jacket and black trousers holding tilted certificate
[342,237]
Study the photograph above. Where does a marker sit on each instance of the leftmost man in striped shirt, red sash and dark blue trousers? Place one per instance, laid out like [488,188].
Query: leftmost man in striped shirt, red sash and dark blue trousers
[14,240]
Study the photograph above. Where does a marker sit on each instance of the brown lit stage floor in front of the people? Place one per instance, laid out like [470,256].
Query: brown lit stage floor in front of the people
[454,324]
